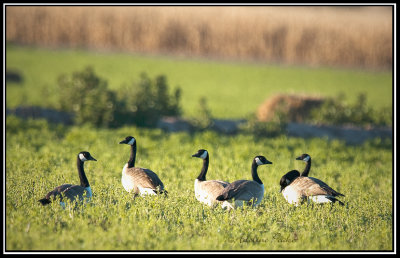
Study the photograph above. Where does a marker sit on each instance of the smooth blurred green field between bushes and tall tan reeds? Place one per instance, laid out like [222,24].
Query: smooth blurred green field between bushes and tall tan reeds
[233,90]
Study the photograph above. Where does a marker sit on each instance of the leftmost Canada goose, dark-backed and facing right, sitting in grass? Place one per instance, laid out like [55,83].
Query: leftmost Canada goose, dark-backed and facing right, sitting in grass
[73,191]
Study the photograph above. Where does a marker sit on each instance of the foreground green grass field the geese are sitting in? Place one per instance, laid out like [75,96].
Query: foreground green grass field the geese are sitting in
[40,156]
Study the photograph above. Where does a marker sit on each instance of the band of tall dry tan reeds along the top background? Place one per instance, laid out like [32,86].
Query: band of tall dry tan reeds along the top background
[313,35]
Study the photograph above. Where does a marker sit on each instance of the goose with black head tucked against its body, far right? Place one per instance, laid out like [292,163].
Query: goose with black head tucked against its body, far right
[296,188]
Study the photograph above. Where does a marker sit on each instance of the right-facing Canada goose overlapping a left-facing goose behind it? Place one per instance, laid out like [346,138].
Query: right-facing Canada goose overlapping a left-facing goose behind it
[245,190]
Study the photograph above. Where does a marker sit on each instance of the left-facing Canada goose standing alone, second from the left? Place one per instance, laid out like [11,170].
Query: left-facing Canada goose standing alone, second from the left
[141,181]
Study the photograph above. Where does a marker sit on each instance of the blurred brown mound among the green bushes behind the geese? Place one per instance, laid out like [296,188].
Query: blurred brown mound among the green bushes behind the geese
[295,108]
